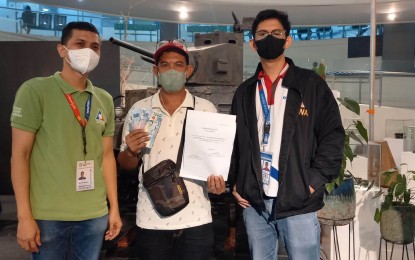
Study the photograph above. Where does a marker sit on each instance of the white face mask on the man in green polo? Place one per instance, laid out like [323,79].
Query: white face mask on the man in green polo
[83,60]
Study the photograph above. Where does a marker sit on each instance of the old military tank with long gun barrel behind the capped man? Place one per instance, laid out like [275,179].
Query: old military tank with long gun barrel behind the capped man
[218,68]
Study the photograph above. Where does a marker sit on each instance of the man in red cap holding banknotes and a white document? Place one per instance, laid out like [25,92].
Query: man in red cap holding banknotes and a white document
[187,234]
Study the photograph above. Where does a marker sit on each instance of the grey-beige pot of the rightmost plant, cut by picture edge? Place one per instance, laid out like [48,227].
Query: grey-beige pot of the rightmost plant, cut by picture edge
[397,224]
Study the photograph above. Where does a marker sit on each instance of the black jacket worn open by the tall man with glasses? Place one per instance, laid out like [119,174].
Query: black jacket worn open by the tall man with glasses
[311,146]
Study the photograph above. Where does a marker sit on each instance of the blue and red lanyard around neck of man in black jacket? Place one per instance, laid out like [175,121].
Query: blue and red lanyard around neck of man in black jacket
[264,103]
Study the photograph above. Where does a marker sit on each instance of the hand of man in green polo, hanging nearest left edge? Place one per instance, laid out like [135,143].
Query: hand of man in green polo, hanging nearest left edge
[28,235]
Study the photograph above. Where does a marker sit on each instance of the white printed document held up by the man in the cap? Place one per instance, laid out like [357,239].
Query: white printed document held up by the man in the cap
[208,145]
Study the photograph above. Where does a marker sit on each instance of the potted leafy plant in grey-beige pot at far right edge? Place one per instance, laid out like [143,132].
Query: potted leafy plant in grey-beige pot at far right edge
[396,214]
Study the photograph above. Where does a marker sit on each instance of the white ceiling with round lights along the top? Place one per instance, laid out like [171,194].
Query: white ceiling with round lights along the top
[301,12]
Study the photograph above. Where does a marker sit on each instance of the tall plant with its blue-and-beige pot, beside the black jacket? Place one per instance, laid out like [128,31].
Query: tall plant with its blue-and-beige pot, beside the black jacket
[340,199]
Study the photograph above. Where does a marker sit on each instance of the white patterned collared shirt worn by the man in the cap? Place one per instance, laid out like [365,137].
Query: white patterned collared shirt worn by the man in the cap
[166,146]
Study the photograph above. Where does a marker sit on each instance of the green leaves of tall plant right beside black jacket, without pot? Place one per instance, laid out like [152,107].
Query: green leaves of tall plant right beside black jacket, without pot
[352,131]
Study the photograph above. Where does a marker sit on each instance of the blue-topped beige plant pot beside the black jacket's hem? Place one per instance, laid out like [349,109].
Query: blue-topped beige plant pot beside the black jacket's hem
[339,206]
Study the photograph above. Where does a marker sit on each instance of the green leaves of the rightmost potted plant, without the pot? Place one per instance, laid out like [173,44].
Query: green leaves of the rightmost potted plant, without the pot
[399,193]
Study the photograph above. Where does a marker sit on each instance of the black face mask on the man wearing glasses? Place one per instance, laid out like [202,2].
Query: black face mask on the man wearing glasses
[270,47]
